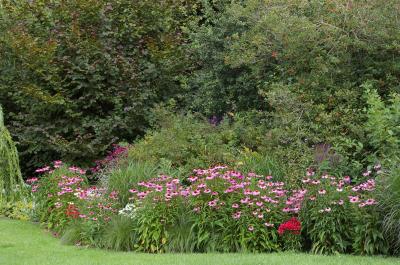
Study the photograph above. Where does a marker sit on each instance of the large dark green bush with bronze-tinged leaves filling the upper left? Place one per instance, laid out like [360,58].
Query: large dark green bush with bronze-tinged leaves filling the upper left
[77,76]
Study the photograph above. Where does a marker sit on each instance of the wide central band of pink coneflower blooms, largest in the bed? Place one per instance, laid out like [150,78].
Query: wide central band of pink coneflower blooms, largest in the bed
[219,189]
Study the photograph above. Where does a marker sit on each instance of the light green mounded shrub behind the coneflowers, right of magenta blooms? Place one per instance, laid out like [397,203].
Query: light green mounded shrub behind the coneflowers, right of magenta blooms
[186,142]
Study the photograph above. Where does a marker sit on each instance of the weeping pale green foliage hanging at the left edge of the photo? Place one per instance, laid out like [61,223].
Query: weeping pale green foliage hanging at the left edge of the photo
[11,182]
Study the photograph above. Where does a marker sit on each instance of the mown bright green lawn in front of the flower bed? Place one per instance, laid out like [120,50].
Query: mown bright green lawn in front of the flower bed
[26,243]
